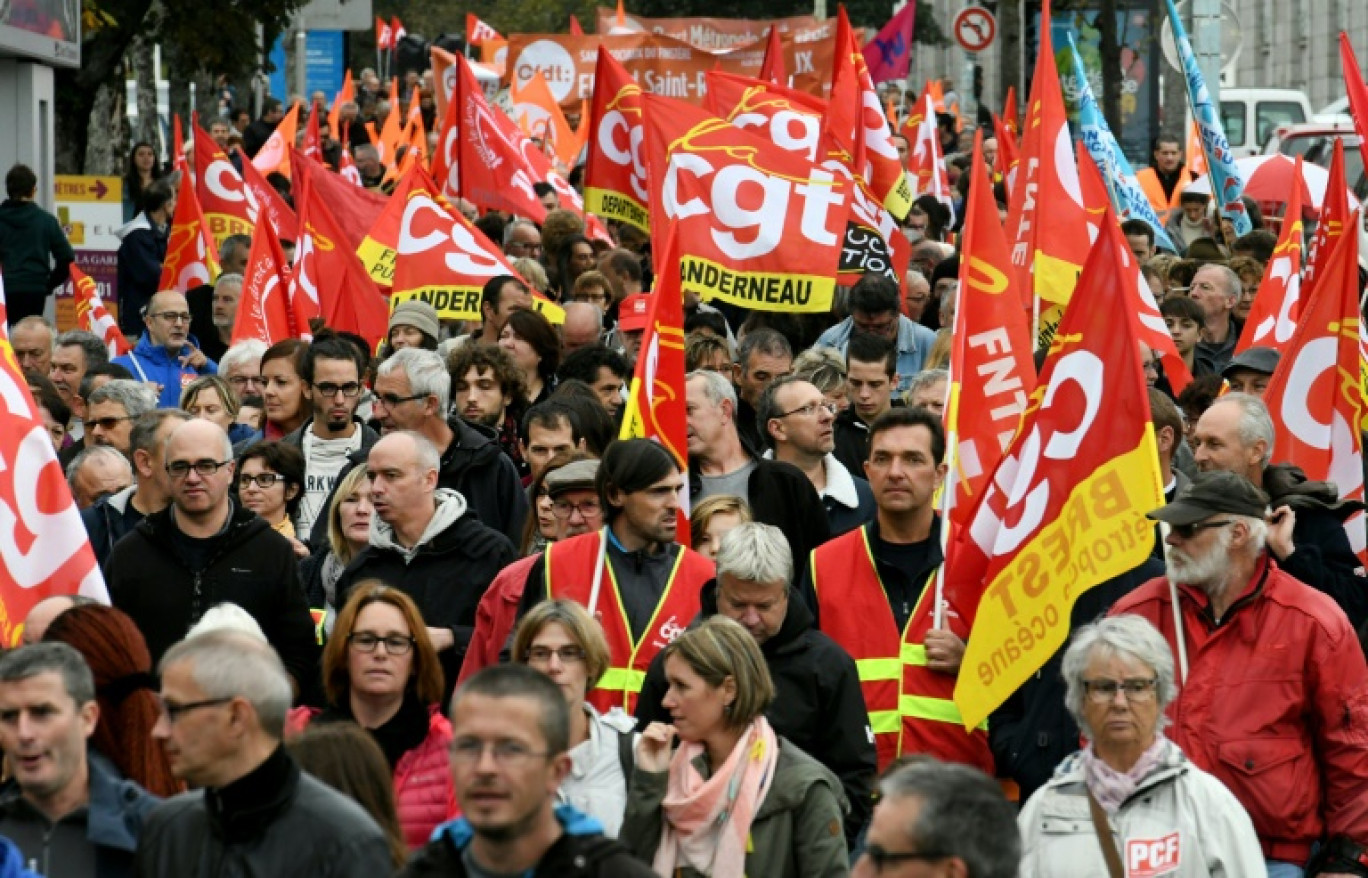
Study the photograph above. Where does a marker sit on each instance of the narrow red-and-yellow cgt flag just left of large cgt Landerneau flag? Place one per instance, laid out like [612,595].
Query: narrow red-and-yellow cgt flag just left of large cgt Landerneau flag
[615,178]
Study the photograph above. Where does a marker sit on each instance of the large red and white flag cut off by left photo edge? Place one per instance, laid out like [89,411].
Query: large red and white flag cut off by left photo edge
[44,550]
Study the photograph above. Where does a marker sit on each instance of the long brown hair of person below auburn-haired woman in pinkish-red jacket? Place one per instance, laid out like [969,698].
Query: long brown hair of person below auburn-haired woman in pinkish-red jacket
[350,761]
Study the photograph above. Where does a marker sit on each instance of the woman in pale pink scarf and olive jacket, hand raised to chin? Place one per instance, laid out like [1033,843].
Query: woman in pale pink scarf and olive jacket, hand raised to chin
[735,799]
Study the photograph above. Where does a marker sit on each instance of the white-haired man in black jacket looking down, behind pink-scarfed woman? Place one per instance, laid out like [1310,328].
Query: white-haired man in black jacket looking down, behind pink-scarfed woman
[817,697]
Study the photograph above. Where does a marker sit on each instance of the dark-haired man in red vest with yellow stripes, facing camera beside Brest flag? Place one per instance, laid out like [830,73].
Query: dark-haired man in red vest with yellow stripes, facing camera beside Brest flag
[873,591]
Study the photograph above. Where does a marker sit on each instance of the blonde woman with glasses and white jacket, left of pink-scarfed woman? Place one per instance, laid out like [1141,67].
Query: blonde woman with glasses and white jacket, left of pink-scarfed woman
[562,639]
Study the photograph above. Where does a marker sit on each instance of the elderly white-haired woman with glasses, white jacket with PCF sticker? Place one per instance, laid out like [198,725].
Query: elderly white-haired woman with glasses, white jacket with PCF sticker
[1131,798]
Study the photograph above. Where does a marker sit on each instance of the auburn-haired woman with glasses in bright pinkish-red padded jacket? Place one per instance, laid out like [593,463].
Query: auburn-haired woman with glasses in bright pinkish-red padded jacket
[381,672]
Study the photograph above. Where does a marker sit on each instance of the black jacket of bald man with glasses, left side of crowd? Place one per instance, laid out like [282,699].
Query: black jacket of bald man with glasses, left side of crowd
[252,567]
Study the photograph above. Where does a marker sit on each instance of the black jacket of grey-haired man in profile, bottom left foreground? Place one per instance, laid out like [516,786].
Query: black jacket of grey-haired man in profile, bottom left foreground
[276,821]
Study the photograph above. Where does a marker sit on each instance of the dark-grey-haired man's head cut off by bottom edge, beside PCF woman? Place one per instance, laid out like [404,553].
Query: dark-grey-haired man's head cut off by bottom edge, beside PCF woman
[938,819]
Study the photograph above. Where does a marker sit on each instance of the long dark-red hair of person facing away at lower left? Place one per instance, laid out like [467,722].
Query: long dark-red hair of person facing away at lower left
[125,691]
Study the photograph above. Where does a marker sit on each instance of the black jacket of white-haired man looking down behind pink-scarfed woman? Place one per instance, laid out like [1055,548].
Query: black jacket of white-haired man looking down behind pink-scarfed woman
[817,704]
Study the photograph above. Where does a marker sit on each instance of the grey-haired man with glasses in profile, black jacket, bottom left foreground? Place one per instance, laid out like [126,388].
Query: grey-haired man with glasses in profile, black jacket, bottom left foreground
[252,810]
